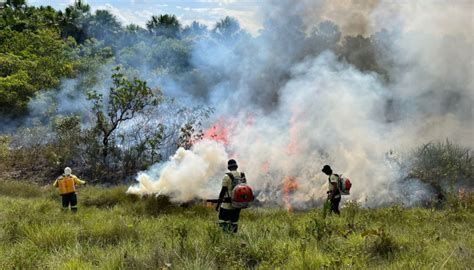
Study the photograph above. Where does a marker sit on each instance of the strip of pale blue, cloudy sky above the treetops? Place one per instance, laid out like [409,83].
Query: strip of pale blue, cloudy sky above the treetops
[207,12]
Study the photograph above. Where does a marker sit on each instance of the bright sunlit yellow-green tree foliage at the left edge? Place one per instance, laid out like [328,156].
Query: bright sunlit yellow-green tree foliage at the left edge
[30,61]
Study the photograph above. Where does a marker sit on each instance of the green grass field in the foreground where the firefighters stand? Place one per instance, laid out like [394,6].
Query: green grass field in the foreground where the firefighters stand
[116,231]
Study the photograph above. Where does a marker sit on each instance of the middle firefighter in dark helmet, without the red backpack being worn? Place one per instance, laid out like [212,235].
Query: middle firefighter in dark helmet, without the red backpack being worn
[229,215]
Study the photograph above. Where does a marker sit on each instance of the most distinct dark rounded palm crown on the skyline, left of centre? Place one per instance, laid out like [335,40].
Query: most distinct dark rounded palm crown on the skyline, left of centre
[164,25]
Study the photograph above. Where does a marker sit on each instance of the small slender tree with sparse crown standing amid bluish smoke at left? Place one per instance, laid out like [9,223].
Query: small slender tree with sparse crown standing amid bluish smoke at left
[126,99]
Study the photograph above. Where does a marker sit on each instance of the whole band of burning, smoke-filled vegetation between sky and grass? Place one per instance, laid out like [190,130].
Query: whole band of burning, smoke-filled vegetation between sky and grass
[310,88]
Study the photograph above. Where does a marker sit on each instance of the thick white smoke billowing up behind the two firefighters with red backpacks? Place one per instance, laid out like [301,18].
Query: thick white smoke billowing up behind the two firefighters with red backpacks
[290,108]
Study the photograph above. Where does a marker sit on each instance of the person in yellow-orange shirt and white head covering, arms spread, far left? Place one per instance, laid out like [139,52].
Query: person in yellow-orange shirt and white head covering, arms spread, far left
[67,189]
